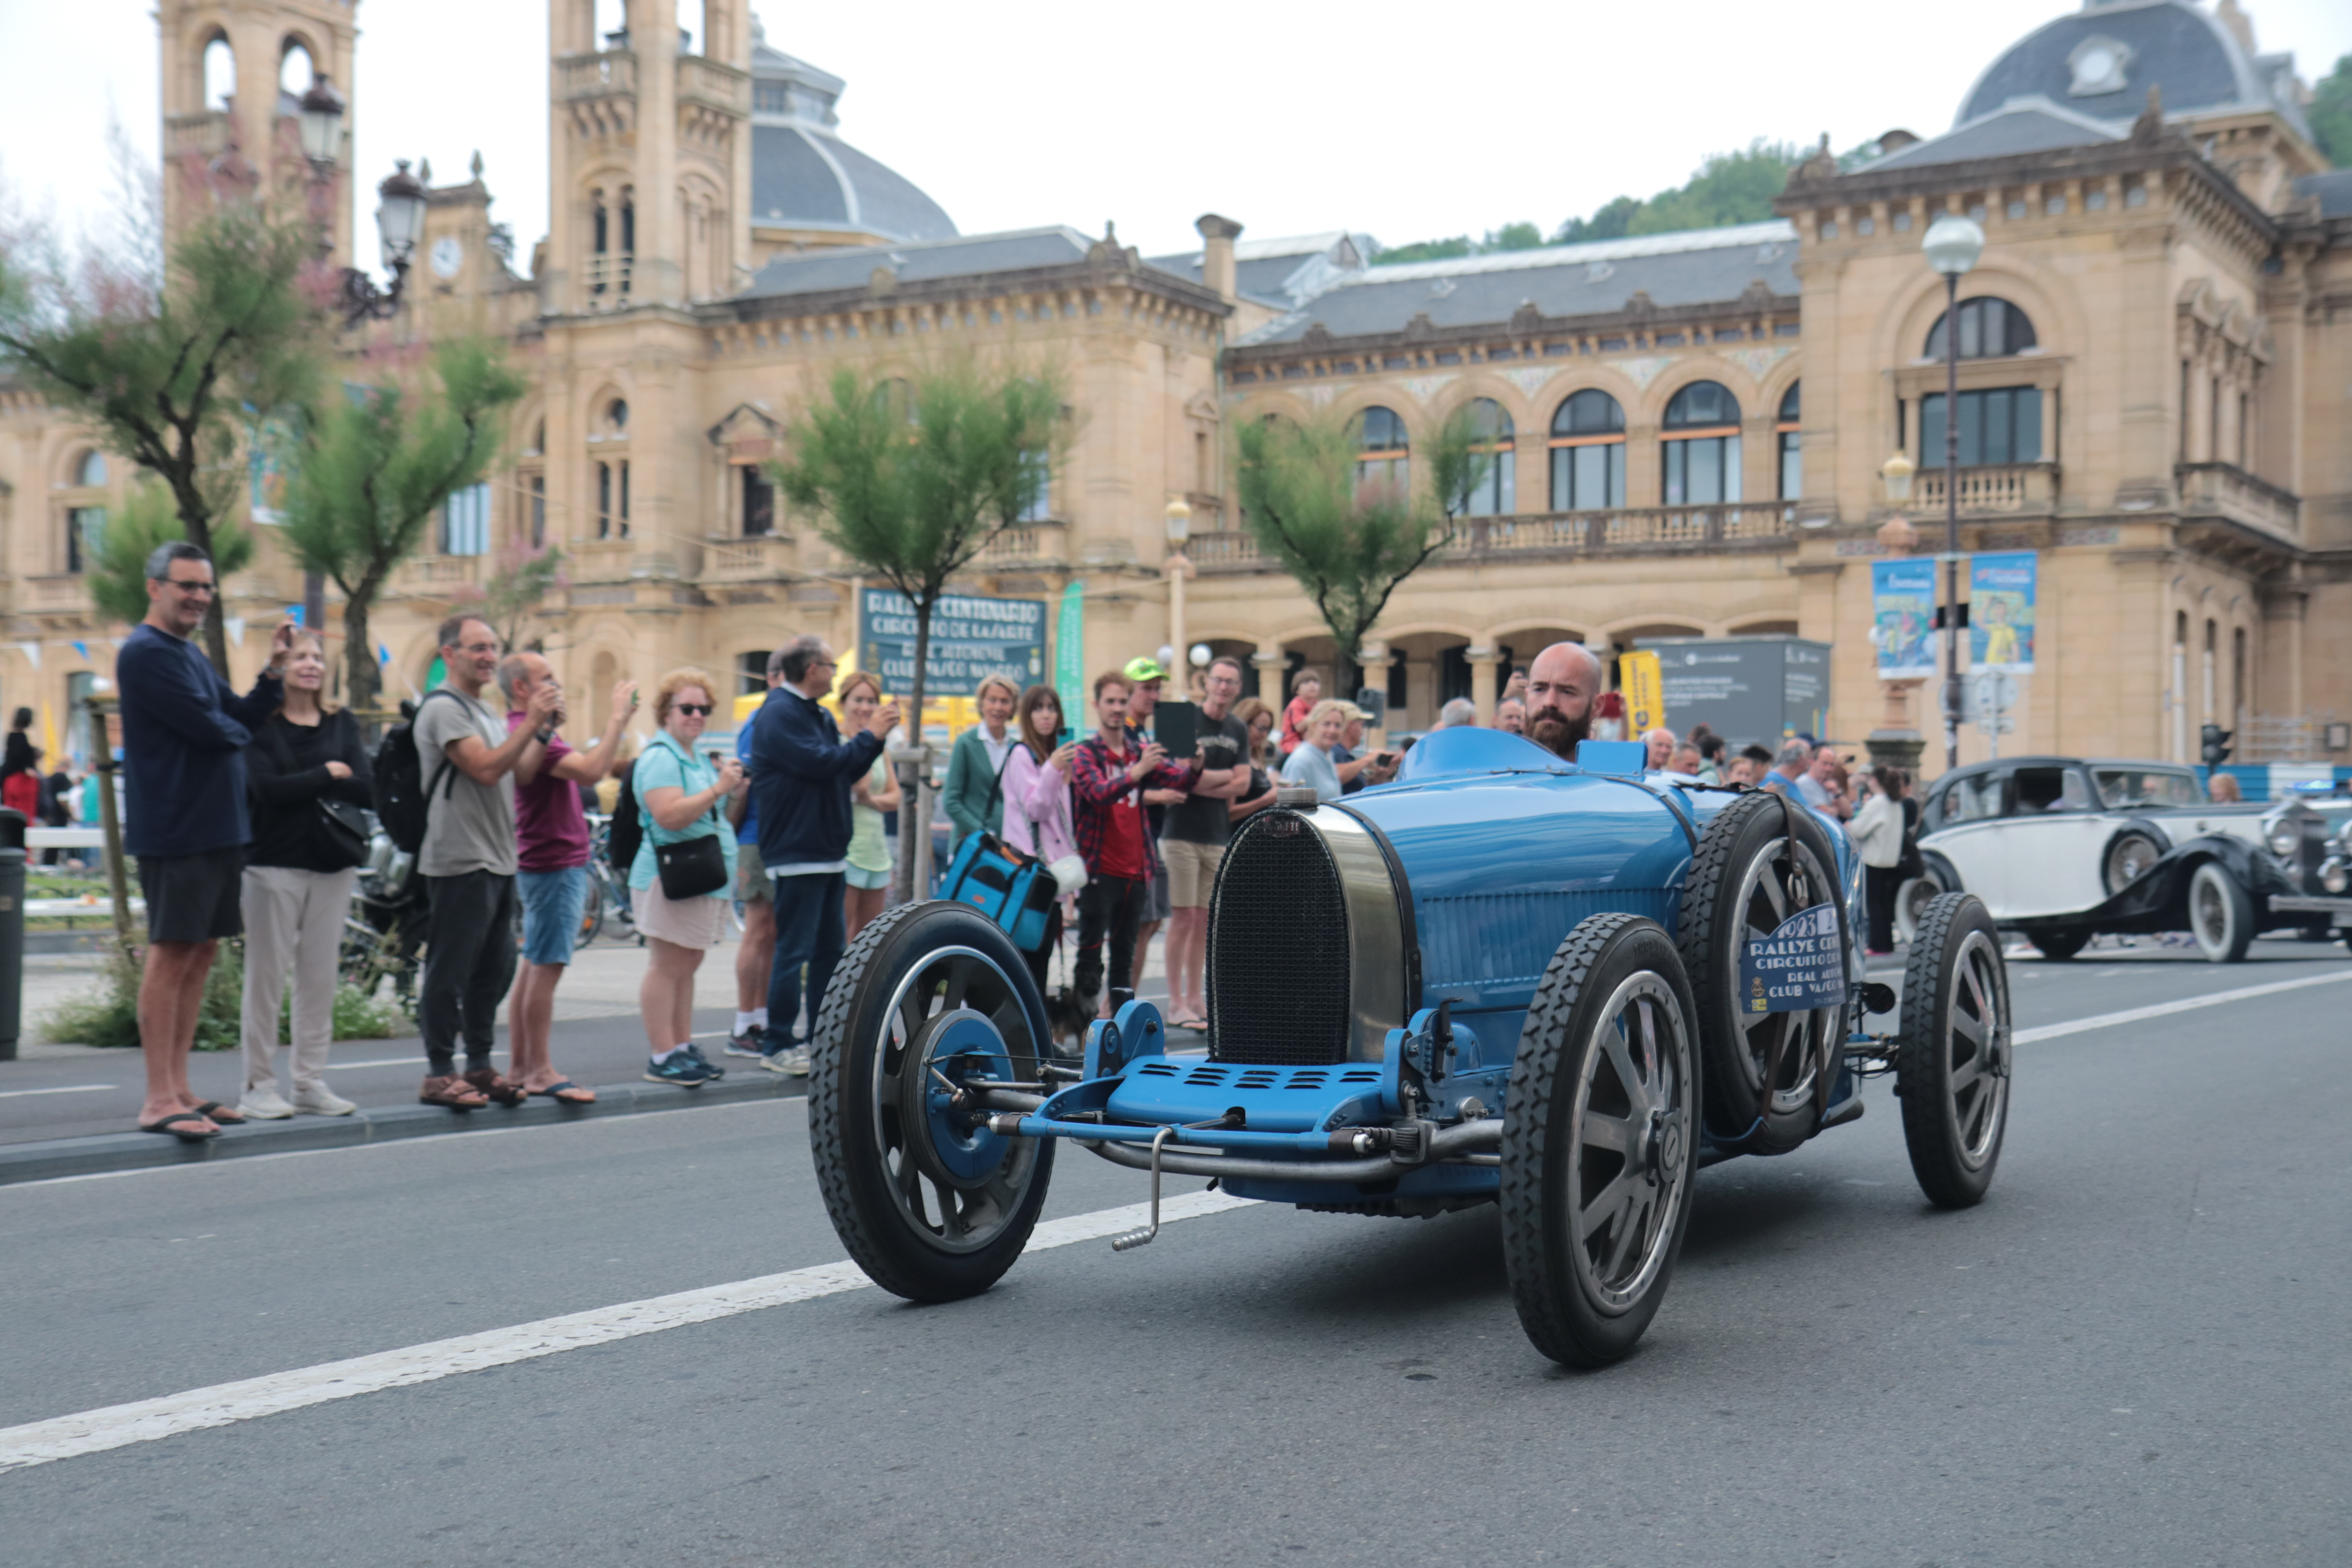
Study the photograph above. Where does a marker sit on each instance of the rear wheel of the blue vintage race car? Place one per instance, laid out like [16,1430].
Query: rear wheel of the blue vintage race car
[1953,1066]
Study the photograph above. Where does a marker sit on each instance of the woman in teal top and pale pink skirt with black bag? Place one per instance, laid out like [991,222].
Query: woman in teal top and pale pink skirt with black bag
[679,798]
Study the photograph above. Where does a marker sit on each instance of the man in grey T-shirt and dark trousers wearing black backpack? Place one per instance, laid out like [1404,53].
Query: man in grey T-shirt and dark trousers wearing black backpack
[469,859]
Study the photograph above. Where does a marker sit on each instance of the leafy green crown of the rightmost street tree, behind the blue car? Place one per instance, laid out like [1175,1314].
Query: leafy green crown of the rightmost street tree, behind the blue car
[1347,540]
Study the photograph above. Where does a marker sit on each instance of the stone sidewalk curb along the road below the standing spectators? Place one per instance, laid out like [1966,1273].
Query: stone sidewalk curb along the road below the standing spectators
[53,1158]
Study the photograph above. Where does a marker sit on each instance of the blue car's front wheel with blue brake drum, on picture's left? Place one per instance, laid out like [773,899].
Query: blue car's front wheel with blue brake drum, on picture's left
[926,1198]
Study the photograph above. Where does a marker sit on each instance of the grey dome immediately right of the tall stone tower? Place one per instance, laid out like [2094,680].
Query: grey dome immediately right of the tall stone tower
[806,177]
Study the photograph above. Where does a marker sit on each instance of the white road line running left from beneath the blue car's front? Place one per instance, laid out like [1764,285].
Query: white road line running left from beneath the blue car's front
[232,1402]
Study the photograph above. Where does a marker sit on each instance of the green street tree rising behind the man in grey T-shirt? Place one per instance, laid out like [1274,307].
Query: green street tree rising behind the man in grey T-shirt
[373,469]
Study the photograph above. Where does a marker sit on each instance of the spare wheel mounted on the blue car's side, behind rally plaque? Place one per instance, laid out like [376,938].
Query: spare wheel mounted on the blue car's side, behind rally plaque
[1742,885]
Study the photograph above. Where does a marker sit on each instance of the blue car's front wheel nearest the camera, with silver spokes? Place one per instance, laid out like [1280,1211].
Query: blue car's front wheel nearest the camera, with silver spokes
[1603,1141]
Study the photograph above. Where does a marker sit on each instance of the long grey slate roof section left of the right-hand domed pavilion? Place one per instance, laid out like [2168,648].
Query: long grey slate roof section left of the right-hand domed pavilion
[1685,269]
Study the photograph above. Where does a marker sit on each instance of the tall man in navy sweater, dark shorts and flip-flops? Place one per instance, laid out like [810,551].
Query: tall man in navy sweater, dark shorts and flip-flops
[185,735]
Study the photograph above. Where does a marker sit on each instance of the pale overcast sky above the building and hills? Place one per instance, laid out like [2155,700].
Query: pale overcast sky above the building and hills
[1405,121]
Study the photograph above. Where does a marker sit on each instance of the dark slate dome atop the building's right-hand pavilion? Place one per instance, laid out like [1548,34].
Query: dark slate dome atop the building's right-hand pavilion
[2104,60]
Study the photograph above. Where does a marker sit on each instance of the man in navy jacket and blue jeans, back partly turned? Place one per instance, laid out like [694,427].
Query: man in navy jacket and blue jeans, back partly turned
[801,775]
